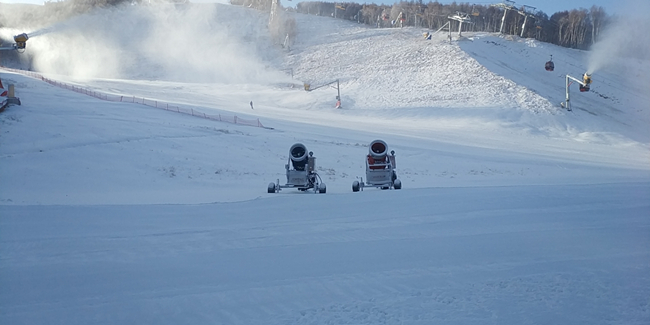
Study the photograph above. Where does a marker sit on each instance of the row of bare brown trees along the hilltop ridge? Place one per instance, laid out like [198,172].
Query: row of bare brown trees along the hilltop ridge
[578,28]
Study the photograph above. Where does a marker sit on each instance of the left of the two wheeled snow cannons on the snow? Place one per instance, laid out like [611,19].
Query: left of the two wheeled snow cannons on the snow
[301,172]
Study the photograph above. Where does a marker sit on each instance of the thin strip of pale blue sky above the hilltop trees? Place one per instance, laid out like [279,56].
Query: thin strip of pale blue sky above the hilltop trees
[547,6]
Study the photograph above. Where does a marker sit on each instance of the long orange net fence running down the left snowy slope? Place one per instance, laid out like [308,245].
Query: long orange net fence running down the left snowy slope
[148,102]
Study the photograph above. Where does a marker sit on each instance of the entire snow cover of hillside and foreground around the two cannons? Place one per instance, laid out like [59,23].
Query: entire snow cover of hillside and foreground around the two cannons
[513,210]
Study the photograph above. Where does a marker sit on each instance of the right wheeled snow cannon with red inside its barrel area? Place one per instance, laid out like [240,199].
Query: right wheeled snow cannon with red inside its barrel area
[380,168]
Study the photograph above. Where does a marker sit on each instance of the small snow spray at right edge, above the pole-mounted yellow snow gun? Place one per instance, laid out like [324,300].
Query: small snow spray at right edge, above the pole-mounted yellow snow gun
[626,37]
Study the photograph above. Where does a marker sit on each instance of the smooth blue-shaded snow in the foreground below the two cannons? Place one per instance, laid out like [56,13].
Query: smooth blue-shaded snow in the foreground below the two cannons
[494,255]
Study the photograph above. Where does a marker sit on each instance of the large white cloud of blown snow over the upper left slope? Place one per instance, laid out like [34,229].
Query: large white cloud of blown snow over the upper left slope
[163,42]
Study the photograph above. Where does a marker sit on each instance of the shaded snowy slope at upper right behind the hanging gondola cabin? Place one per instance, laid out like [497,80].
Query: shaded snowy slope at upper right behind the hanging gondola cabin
[617,96]
